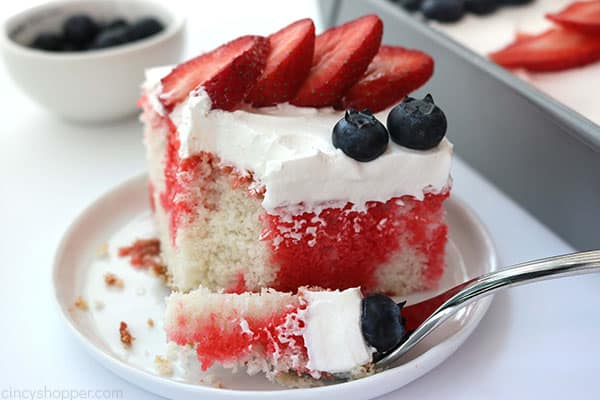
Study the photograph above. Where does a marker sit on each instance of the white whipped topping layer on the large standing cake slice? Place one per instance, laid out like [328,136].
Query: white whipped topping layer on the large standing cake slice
[289,151]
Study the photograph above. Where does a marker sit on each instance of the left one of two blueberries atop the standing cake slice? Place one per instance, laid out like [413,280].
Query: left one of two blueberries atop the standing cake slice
[360,135]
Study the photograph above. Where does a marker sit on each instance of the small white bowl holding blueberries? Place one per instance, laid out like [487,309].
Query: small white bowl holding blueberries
[98,85]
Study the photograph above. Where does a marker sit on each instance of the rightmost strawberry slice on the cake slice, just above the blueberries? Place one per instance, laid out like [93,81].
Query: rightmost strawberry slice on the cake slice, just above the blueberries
[393,73]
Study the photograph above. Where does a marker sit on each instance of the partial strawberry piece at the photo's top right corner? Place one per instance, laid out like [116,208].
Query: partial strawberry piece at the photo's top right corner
[583,16]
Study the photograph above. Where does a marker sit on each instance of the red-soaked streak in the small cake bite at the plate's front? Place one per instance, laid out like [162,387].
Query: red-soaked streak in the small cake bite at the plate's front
[222,341]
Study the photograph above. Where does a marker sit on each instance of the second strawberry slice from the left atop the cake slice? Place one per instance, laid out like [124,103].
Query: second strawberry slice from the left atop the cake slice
[288,64]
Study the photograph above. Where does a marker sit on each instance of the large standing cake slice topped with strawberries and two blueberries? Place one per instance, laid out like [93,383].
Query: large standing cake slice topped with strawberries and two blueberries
[250,187]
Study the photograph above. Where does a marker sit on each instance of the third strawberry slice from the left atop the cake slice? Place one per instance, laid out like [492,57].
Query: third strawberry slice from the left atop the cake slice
[342,54]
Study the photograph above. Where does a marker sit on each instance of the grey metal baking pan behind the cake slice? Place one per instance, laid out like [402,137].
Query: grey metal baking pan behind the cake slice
[540,152]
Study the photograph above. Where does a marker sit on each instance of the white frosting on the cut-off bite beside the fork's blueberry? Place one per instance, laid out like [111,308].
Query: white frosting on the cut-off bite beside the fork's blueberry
[333,336]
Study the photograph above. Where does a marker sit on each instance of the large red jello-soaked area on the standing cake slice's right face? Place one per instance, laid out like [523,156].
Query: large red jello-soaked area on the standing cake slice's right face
[346,250]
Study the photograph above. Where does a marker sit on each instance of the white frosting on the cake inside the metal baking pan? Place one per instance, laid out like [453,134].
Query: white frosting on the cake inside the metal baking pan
[575,88]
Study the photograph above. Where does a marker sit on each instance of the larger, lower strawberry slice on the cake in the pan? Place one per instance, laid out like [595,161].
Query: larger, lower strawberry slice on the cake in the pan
[554,50]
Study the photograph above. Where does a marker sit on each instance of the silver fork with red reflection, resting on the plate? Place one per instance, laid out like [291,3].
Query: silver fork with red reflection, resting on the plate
[426,316]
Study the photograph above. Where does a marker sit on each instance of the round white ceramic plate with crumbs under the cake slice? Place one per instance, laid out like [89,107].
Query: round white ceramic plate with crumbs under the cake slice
[122,215]
